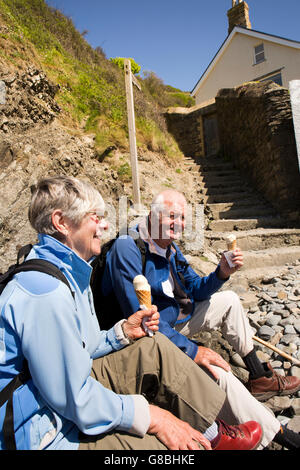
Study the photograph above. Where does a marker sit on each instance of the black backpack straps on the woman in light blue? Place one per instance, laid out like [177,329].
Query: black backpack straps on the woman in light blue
[6,395]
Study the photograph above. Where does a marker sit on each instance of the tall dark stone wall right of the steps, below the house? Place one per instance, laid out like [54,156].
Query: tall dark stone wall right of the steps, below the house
[256,132]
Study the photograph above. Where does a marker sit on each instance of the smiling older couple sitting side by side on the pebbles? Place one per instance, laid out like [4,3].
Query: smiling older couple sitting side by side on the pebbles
[123,389]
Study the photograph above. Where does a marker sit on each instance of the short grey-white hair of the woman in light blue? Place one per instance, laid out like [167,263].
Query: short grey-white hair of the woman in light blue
[72,196]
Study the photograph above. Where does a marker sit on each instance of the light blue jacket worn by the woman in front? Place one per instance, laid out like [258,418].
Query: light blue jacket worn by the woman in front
[60,336]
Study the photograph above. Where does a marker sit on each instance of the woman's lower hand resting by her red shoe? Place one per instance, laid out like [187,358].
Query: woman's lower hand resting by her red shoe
[174,433]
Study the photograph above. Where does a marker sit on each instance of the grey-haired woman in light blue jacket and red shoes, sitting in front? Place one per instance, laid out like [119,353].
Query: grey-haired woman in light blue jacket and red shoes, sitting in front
[86,389]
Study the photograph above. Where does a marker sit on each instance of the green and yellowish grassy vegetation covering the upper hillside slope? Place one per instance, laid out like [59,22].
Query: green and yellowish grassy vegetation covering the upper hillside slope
[91,87]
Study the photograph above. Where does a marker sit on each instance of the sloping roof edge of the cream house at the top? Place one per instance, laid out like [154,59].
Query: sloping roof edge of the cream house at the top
[248,32]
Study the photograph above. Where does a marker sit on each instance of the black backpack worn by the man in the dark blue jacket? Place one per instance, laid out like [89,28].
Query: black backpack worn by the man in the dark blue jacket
[107,308]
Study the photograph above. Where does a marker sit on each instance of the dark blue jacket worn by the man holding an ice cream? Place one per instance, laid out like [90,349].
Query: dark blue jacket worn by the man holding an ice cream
[124,262]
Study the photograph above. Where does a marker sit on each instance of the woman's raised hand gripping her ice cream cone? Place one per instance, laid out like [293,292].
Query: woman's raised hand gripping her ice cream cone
[133,326]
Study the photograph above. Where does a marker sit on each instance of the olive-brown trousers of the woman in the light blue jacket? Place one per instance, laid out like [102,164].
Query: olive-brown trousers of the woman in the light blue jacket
[156,368]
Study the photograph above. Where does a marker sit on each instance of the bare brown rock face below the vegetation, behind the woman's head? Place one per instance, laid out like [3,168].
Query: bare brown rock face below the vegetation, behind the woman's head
[35,143]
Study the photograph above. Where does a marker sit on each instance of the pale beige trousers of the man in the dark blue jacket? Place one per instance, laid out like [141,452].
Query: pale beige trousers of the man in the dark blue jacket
[225,311]
